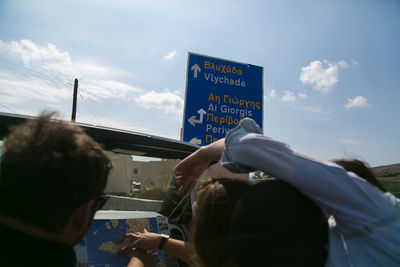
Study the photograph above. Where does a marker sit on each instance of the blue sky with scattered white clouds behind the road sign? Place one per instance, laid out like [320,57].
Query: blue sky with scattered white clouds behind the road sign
[331,68]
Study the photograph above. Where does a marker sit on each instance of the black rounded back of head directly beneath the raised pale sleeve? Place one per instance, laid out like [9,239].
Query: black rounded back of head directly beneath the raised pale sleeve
[274,224]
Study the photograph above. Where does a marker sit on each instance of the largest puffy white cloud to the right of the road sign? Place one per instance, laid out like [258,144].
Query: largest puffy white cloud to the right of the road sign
[323,76]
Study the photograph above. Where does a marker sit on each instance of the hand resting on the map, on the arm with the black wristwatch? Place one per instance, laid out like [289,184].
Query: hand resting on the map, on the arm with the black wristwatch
[143,241]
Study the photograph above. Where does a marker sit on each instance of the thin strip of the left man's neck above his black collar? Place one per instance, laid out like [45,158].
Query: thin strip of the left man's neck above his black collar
[31,229]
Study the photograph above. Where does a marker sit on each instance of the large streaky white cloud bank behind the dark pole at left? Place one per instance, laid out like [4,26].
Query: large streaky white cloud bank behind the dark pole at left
[47,72]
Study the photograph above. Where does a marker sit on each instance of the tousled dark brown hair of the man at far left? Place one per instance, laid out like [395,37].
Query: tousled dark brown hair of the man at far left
[48,169]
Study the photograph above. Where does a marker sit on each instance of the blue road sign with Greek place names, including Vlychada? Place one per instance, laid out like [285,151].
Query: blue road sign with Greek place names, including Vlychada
[219,93]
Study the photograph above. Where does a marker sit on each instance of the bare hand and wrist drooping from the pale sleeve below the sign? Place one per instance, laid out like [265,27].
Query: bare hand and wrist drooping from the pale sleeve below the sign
[196,163]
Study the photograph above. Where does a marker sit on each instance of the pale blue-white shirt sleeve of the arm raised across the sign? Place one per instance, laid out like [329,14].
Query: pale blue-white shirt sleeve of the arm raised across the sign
[343,194]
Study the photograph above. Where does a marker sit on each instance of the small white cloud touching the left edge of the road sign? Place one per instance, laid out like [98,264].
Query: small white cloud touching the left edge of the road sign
[169,102]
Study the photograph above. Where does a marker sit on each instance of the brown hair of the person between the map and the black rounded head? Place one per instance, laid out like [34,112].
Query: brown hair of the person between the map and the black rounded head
[215,202]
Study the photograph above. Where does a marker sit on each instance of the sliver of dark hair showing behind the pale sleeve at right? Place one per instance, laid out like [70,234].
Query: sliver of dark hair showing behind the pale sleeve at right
[360,168]
